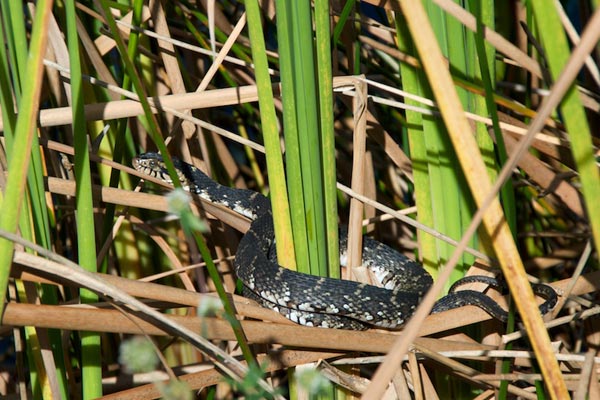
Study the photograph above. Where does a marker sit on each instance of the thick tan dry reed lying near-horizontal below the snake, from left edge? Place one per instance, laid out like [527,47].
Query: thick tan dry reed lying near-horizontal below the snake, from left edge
[108,320]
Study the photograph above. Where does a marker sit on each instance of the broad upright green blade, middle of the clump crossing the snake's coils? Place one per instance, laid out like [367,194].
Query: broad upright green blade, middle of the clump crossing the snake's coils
[304,170]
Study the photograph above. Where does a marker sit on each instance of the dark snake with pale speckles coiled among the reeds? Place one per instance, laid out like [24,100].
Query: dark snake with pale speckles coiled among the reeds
[400,283]
